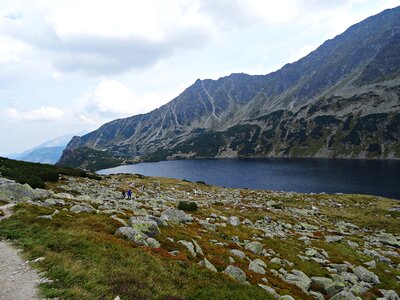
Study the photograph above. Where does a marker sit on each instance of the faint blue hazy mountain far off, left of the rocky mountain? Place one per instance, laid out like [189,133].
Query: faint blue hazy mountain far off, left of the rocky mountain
[48,152]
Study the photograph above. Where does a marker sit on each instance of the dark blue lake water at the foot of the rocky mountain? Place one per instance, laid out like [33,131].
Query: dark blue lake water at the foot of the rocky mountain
[374,177]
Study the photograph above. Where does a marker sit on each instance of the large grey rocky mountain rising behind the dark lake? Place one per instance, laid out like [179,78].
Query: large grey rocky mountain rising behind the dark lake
[341,100]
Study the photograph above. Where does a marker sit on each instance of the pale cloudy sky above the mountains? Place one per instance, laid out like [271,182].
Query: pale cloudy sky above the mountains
[70,66]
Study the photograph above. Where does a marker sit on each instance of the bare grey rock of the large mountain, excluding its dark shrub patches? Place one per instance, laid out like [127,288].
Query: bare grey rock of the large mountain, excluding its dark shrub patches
[353,64]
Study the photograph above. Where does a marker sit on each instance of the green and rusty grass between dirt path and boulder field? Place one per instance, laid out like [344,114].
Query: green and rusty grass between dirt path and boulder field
[86,261]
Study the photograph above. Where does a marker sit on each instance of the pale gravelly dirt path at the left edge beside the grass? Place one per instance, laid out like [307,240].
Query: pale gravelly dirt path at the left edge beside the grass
[17,280]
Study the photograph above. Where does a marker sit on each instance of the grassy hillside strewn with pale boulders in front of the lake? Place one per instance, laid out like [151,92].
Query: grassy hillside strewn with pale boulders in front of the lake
[91,243]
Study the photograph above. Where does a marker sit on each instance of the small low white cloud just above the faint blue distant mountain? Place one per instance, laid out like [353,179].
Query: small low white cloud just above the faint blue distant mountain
[41,114]
